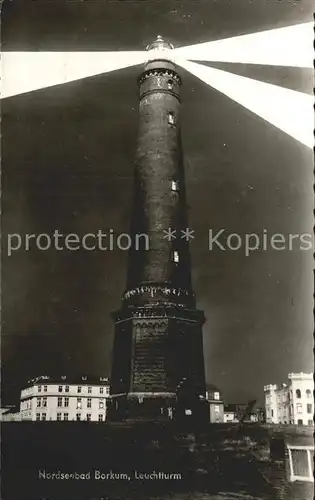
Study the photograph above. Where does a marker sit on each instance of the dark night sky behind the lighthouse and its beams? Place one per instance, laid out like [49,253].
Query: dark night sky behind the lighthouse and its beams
[67,161]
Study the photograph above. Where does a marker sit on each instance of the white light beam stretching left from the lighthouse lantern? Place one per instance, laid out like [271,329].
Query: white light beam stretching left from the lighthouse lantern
[26,71]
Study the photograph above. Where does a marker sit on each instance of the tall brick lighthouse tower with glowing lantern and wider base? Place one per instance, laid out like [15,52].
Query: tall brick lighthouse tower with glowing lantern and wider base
[158,364]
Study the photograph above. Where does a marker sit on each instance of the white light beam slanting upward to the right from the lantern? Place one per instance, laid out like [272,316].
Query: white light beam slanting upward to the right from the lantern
[289,46]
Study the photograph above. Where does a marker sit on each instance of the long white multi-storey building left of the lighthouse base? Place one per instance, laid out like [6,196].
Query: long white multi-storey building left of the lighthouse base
[62,398]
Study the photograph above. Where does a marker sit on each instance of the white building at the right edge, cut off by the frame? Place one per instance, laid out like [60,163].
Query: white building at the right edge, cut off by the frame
[291,403]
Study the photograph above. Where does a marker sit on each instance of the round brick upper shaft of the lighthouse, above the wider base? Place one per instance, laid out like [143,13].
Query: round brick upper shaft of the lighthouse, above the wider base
[158,162]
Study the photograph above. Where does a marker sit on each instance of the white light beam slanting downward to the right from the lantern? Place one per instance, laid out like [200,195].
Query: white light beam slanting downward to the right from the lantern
[289,110]
